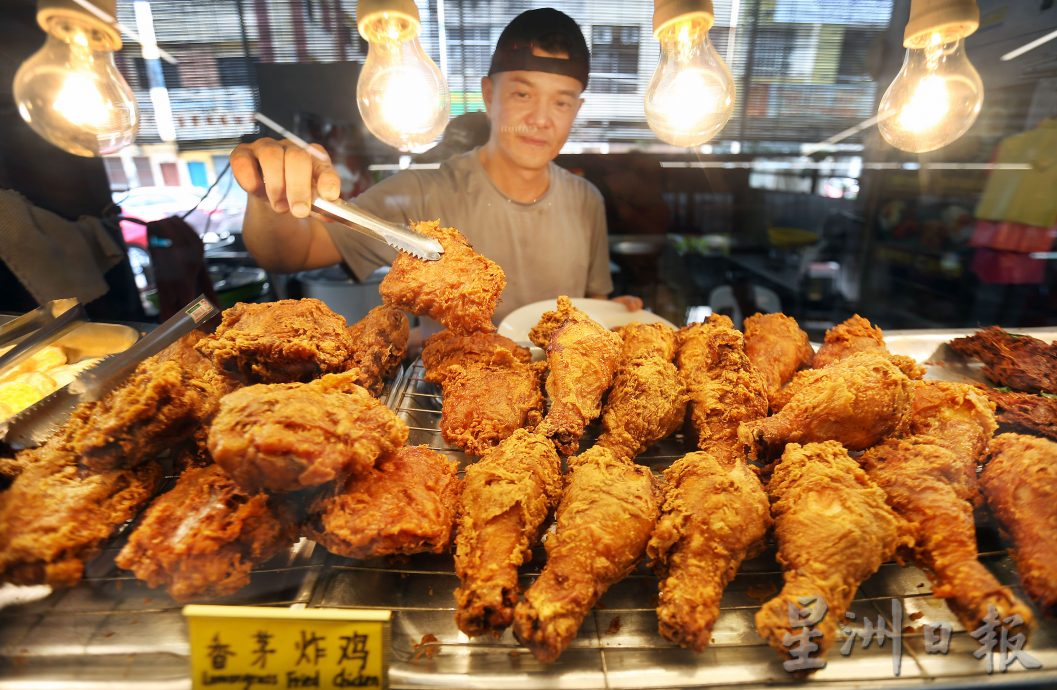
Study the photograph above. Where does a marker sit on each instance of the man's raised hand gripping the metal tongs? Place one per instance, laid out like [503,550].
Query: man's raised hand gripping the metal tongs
[284,175]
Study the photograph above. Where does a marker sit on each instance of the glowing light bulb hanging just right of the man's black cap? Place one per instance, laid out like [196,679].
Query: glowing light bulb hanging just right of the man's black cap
[691,98]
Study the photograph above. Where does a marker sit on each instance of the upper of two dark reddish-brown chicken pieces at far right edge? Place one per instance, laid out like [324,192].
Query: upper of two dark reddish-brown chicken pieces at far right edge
[1021,362]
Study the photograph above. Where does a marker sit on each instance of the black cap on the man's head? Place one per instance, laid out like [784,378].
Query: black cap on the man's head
[550,31]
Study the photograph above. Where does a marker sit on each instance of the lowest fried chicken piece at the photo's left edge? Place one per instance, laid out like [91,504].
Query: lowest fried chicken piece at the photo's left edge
[57,514]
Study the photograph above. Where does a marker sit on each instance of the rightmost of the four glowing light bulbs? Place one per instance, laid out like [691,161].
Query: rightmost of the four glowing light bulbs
[934,100]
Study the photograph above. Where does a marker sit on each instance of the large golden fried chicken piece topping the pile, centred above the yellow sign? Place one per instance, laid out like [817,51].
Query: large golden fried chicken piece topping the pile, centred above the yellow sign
[289,437]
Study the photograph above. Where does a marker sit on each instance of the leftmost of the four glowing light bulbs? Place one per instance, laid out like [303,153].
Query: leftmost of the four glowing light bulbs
[71,94]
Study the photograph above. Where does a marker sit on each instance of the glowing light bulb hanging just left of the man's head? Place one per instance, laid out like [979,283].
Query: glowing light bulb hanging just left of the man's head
[402,95]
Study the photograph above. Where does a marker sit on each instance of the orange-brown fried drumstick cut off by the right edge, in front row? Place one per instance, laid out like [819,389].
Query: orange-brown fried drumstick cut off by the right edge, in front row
[1021,486]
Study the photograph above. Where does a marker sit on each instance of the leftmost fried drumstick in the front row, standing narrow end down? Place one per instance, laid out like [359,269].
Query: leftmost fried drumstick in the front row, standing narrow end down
[507,497]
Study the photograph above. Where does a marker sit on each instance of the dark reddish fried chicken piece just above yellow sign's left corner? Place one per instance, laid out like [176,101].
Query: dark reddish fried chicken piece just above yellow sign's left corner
[201,539]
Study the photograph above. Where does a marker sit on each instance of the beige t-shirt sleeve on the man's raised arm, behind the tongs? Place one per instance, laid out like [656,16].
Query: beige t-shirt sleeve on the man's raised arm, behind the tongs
[396,199]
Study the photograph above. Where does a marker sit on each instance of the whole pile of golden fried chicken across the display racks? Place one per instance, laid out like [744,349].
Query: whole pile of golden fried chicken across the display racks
[271,430]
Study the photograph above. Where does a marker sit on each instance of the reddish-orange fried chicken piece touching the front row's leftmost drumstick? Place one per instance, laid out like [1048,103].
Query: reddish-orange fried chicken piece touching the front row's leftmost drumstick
[405,506]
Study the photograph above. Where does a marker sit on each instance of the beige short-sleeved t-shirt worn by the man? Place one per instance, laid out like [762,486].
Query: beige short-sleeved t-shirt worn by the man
[557,246]
